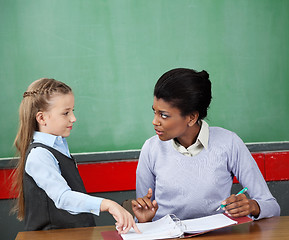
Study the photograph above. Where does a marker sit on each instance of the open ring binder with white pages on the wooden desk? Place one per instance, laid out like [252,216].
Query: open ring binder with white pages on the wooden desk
[171,227]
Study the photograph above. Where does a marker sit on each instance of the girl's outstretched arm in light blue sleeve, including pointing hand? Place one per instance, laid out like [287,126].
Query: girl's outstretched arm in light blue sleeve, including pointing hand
[46,173]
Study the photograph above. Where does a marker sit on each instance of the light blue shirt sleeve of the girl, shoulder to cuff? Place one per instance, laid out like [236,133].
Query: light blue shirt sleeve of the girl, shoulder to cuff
[46,173]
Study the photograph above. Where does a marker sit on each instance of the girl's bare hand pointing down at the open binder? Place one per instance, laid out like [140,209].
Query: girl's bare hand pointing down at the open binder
[124,220]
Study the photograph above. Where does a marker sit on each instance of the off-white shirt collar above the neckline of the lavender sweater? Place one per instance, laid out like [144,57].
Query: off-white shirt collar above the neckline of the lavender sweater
[197,147]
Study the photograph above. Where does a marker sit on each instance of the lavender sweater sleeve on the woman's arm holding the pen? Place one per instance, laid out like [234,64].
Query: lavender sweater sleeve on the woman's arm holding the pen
[246,170]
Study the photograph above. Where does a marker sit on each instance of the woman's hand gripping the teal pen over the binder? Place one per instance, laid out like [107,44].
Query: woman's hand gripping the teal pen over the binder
[240,205]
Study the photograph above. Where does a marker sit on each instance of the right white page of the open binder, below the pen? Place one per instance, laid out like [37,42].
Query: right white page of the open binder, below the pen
[207,223]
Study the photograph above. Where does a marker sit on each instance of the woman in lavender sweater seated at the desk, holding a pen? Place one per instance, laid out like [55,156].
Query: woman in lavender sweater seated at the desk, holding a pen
[187,169]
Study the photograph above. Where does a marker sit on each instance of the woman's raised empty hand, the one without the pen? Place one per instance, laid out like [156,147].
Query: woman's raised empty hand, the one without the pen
[144,209]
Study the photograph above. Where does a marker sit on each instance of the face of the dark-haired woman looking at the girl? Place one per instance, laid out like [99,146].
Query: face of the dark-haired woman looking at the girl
[168,121]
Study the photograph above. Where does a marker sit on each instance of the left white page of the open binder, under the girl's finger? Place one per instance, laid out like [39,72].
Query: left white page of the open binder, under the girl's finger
[160,229]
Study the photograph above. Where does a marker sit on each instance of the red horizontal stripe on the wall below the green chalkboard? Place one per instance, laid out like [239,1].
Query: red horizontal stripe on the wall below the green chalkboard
[120,175]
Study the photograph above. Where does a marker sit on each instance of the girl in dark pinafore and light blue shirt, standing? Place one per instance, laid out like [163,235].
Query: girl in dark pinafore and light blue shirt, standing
[51,192]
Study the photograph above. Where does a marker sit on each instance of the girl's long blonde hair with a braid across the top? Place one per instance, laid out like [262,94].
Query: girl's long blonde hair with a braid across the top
[35,99]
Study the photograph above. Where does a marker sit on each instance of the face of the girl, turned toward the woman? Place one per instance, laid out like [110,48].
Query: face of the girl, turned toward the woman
[59,119]
